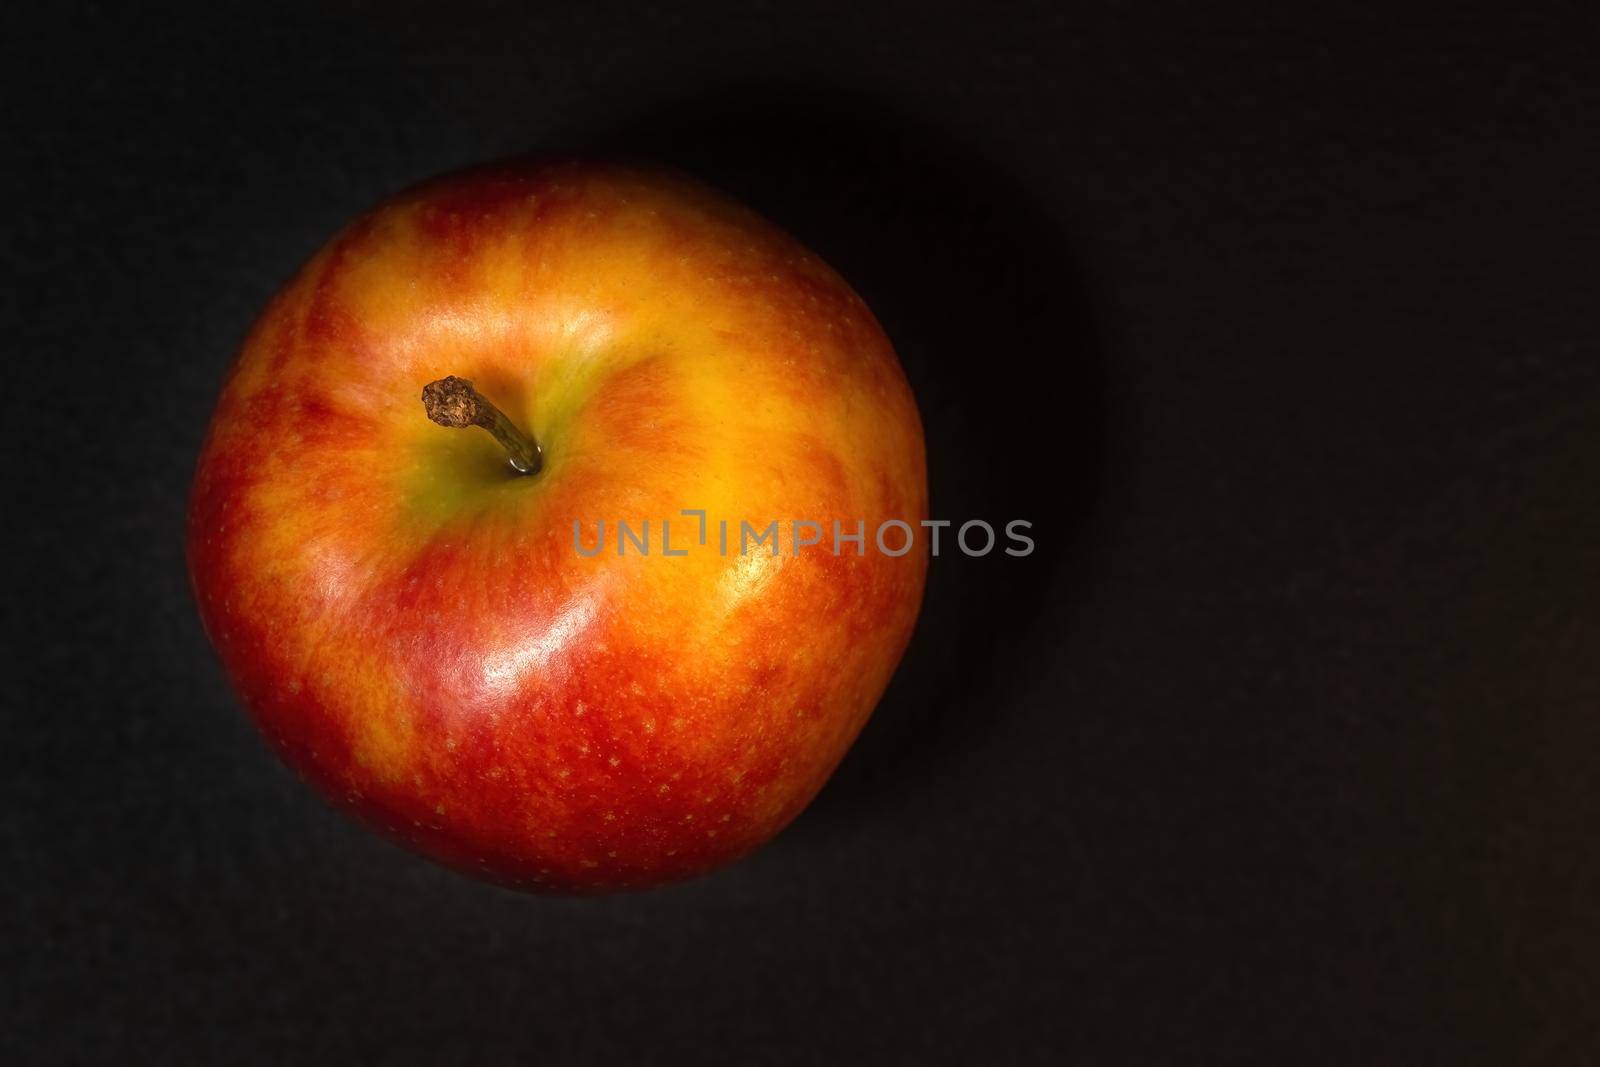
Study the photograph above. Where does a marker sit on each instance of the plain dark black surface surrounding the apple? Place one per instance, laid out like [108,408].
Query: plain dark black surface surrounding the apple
[1279,321]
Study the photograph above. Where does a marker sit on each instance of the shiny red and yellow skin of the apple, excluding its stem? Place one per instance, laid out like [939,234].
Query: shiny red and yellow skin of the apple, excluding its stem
[409,621]
